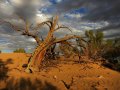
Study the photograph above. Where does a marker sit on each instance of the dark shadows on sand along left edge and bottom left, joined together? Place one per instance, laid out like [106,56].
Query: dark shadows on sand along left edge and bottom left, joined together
[22,83]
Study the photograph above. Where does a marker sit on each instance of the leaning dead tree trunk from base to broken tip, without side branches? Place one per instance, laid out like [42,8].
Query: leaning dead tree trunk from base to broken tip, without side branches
[39,54]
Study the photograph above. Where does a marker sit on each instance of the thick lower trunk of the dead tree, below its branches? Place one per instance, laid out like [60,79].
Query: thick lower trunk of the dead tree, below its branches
[37,57]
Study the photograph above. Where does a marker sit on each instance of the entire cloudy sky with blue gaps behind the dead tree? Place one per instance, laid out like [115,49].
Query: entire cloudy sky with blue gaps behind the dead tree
[79,15]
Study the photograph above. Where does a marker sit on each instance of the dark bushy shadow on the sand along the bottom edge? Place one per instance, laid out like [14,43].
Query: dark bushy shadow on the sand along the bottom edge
[27,84]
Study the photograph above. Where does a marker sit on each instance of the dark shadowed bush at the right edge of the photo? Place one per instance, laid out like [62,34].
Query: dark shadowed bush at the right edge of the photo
[112,54]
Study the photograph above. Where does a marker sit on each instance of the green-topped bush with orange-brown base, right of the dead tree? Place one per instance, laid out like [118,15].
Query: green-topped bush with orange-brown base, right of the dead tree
[92,46]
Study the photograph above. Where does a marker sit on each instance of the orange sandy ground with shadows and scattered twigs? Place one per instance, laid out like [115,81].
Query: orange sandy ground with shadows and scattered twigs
[69,76]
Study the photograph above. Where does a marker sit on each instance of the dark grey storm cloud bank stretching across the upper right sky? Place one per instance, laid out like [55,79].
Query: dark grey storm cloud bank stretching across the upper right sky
[98,10]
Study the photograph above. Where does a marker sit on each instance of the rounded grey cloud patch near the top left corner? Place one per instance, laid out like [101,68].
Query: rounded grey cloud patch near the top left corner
[25,9]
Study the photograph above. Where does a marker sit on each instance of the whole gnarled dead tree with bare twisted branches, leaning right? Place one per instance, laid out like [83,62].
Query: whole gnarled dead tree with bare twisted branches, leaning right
[43,45]
